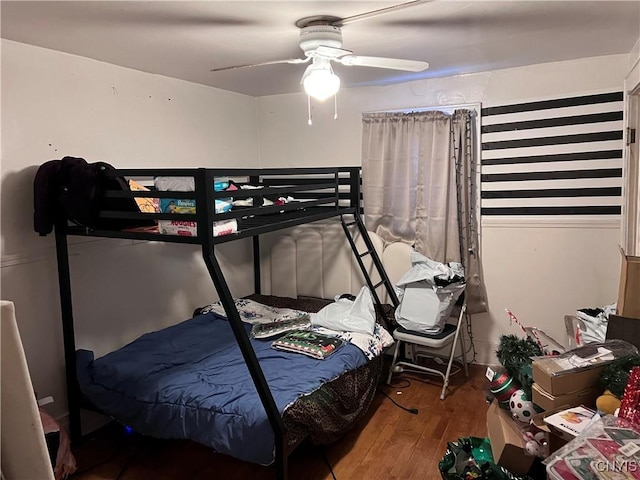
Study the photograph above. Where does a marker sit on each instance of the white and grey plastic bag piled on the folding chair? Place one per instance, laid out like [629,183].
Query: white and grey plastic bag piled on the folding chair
[424,304]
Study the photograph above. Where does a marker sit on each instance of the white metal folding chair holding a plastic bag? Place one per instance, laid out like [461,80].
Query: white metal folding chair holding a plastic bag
[449,336]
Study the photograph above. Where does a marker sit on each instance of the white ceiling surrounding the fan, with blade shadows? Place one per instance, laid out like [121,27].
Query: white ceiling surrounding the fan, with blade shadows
[186,39]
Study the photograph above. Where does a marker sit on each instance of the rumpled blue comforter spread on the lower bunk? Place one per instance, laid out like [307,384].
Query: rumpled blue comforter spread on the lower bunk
[190,381]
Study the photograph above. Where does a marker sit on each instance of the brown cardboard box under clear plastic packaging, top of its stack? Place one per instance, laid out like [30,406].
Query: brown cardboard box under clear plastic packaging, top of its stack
[550,377]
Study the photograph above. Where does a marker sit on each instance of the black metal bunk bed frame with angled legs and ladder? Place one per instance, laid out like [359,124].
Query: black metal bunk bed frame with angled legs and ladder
[320,193]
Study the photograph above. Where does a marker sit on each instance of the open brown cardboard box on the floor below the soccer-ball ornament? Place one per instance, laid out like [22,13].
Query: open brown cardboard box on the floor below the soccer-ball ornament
[507,442]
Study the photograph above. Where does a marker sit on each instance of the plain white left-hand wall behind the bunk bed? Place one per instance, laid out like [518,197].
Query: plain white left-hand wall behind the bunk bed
[55,104]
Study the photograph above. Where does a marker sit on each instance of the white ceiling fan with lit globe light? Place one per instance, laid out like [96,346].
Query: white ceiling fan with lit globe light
[321,42]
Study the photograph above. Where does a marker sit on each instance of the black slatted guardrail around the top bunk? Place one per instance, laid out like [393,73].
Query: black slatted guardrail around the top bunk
[314,193]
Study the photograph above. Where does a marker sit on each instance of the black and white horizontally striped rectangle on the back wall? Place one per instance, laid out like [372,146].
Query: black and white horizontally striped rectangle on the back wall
[553,157]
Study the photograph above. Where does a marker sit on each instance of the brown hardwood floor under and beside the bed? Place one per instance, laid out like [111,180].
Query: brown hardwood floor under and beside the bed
[389,443]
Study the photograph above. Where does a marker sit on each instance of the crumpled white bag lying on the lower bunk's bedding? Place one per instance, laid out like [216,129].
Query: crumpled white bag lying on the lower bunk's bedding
[348,315]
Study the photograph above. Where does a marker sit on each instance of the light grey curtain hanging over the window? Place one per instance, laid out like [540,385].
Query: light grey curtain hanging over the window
[418,173]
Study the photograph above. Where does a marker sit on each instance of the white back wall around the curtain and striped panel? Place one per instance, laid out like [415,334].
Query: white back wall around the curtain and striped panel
[541,272]
